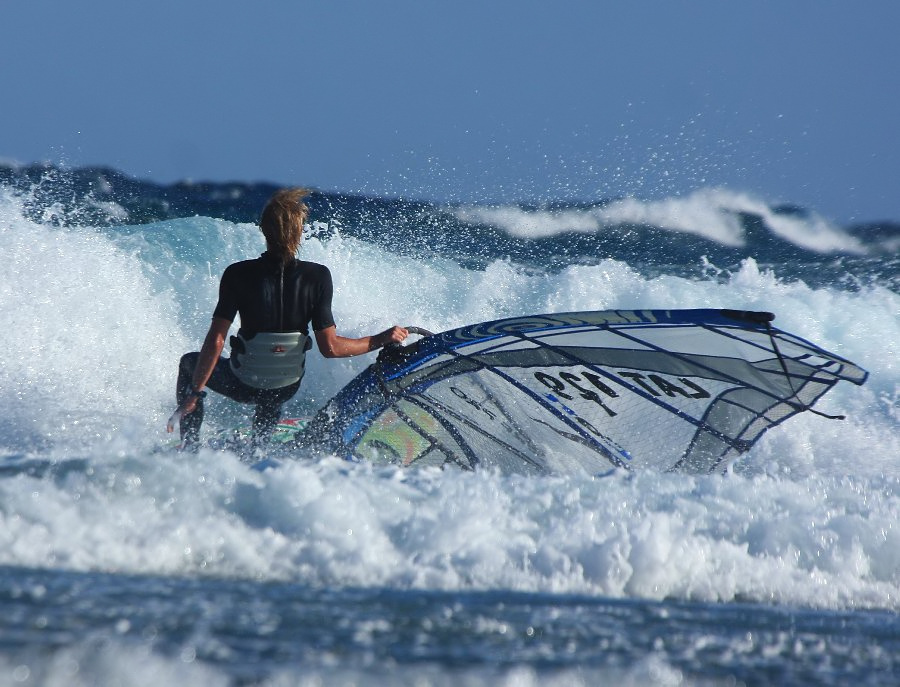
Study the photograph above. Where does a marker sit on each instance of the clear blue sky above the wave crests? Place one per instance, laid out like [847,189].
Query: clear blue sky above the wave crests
[792,101]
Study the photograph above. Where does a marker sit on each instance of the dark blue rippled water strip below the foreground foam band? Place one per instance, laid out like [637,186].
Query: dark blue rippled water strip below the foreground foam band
[250,632]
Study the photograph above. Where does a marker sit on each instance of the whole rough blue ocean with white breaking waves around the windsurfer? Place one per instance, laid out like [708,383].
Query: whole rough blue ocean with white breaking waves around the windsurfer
[124,563]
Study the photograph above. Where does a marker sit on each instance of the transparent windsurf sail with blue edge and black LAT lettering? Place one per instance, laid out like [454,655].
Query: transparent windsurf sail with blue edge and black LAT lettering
[667,389]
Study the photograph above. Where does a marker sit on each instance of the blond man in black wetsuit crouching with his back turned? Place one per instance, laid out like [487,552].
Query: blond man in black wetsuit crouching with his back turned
[277,297]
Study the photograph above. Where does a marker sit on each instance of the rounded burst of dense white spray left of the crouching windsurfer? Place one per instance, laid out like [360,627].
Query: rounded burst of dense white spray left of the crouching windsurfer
[84,334]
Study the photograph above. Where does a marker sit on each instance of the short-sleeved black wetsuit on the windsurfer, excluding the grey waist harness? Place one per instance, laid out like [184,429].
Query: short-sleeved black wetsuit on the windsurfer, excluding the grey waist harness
[269,298]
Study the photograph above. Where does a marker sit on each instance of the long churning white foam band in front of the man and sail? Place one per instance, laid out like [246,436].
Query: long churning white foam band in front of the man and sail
[820,541]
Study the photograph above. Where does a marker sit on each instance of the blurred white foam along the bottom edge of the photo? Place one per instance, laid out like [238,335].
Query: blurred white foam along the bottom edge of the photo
[116,661]
